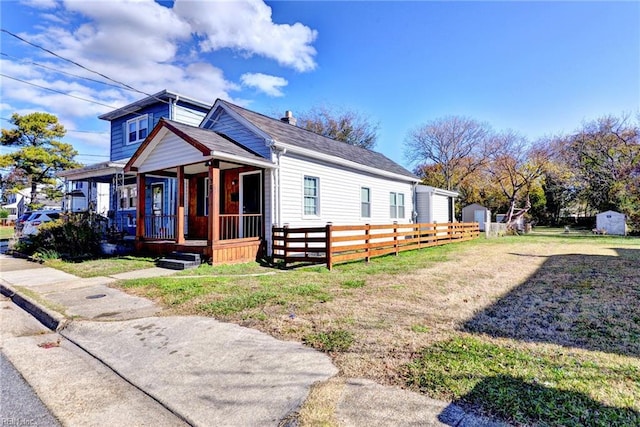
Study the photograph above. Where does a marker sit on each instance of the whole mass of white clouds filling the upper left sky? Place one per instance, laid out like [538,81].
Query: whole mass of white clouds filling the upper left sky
[150,47]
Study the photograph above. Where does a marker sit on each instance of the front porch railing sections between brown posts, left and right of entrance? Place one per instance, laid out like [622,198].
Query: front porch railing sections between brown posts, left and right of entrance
[232,226]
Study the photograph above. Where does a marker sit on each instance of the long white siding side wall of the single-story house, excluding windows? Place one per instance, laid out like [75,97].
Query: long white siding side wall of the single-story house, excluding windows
[339,194]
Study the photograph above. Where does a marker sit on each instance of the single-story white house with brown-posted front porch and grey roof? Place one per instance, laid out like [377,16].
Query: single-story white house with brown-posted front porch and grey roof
[240,172]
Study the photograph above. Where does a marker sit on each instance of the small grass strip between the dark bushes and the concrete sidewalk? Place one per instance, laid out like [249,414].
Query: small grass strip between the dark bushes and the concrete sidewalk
[101,266]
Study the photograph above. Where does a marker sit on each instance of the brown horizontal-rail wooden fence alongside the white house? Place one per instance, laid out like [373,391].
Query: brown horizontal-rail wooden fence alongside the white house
[339,243]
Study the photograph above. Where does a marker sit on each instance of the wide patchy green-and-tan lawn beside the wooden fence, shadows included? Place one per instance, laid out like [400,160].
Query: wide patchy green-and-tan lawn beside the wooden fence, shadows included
[530,309]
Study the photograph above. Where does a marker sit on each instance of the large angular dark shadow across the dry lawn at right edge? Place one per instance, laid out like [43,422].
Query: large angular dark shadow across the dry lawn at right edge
[586,301]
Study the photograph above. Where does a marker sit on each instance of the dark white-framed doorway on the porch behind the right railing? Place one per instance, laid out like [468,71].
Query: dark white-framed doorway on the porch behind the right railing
[250,204]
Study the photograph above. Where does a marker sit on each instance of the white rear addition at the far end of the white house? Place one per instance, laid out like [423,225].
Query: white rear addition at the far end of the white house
[434,204]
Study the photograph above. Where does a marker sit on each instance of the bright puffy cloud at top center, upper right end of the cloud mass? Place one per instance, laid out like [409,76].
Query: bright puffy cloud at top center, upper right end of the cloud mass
[246,25]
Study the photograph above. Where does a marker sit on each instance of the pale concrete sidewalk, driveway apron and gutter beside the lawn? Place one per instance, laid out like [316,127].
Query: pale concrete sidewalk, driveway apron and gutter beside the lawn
[112,359]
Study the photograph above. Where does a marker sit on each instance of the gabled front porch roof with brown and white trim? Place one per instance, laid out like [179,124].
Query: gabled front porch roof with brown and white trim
[209,143]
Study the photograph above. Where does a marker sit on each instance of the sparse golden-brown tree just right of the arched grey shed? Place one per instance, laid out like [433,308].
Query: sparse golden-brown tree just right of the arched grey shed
[514,165]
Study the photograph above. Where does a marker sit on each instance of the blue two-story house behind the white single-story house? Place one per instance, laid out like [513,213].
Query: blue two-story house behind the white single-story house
[130,125]
